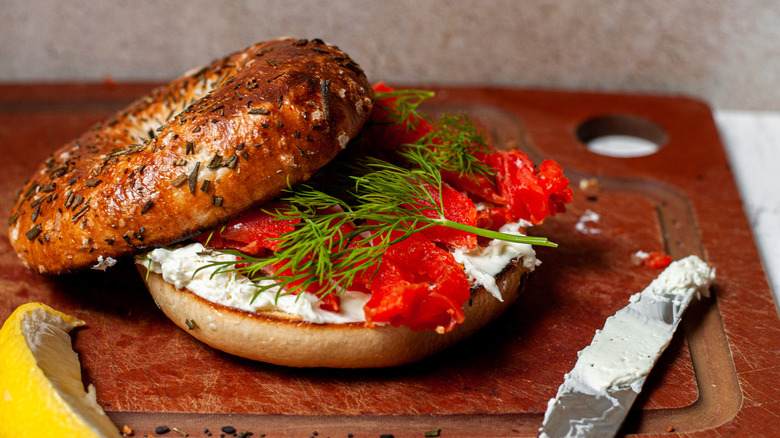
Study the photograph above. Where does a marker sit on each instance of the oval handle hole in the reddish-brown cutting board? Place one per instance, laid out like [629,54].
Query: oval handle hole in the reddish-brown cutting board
[621,136]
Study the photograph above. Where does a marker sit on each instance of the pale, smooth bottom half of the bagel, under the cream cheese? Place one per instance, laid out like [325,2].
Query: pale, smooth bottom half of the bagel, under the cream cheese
[283,339]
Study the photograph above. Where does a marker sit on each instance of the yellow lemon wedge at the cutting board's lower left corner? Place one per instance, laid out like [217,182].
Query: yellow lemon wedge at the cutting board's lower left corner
[41,393]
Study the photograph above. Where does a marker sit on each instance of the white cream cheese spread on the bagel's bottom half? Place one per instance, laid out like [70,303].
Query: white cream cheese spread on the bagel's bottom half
[192,267]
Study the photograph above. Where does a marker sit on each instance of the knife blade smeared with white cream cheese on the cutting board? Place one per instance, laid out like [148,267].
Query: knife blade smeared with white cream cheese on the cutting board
[609,373]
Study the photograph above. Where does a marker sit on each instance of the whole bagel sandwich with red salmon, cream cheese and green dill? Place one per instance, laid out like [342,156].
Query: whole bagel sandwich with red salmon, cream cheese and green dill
[282,209]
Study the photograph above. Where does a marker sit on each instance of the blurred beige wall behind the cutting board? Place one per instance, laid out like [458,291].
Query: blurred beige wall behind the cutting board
[724,52]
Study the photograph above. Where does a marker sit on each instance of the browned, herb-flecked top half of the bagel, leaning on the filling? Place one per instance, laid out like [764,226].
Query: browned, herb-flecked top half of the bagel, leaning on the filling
[191,154]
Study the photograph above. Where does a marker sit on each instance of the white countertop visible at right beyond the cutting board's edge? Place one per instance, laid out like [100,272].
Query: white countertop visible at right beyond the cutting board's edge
[752,142]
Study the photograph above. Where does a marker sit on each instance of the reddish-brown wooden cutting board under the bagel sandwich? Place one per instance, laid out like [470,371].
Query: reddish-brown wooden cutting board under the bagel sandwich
[718,378]
